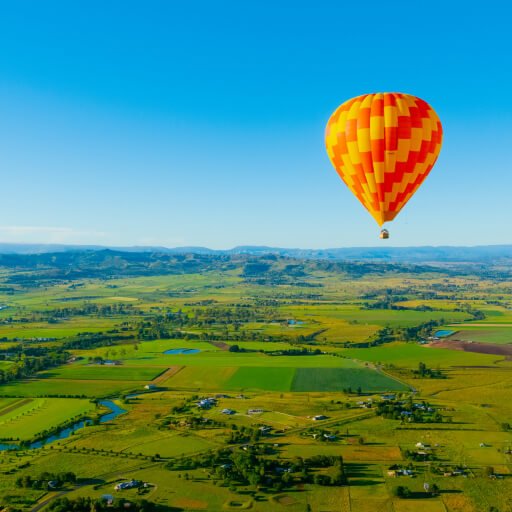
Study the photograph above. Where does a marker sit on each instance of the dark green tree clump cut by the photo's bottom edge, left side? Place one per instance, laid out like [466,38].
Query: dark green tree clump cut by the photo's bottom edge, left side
[100,505]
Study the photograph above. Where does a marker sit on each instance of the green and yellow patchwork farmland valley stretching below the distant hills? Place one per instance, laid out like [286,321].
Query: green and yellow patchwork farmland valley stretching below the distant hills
[300,359]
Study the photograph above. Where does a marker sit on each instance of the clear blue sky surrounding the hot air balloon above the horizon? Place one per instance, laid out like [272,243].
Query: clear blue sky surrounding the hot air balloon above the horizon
[202,123]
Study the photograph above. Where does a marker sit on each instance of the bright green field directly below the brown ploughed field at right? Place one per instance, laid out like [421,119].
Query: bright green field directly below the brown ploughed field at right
[409,355]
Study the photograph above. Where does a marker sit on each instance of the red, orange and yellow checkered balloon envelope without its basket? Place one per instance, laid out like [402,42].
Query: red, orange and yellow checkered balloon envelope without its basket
[383,147]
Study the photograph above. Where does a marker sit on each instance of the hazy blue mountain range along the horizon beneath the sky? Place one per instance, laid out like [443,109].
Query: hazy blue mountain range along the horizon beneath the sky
[484,253]
